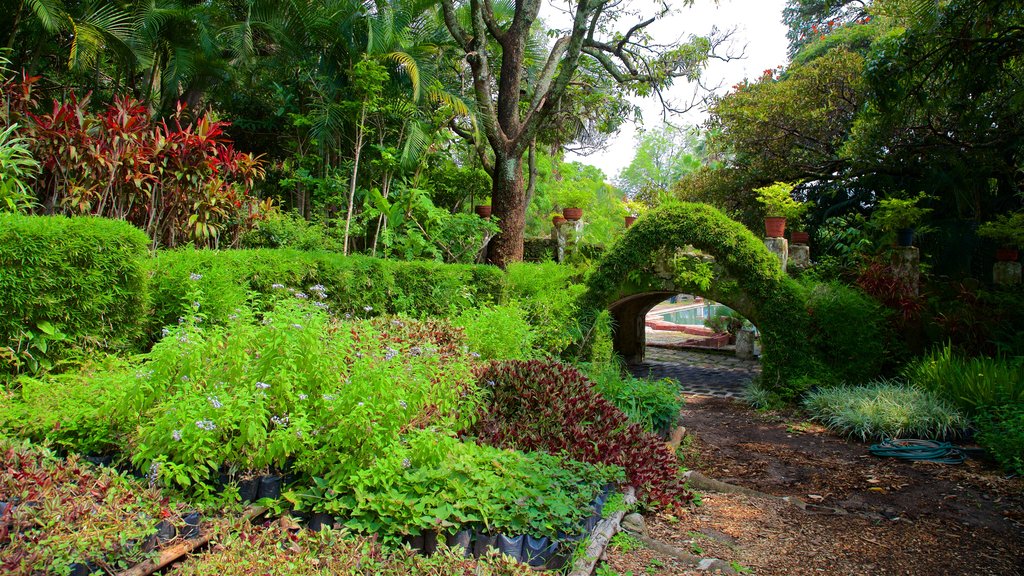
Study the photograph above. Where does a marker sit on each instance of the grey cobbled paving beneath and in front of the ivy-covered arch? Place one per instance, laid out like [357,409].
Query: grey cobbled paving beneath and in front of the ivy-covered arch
[699,374]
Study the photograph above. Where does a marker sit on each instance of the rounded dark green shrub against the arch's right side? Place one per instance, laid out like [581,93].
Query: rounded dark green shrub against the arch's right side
[847,331]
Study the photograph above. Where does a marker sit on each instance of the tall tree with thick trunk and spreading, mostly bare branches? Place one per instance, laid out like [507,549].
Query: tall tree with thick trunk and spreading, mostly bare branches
[510,116]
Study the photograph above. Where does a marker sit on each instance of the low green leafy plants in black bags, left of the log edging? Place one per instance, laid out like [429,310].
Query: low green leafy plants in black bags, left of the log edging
[435,482]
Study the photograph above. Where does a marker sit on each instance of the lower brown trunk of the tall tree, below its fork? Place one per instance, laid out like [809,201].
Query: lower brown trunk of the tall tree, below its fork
[508,201]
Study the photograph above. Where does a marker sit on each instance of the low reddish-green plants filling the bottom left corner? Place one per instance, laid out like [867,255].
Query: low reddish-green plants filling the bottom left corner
[62,513]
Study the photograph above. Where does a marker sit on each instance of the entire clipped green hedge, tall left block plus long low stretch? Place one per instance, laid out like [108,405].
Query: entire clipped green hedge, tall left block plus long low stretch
[74,285]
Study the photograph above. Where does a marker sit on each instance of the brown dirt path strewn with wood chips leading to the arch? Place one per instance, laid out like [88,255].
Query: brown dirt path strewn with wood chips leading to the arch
[905,518]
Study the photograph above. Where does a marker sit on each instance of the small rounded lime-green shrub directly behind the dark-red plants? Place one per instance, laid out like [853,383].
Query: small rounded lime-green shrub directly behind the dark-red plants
[500,333]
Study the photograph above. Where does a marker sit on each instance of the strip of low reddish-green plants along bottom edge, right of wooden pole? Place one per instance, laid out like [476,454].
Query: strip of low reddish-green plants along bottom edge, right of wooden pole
[247,550]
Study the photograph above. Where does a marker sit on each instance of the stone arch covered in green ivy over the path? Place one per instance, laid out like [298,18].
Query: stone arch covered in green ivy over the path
[648,264]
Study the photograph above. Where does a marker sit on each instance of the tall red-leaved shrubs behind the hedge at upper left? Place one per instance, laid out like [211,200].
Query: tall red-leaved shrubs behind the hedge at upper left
[180,182]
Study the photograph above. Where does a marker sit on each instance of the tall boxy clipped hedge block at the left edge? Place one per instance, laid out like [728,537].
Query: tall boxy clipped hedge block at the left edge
[68,286]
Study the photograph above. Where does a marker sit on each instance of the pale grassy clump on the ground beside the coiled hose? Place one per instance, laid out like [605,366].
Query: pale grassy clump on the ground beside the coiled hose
[884,409]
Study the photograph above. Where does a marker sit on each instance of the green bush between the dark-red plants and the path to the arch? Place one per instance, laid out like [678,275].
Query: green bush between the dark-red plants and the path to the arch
[653,404]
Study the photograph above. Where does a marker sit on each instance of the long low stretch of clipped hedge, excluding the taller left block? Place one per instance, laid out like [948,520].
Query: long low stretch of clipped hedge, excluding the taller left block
[357,285]
